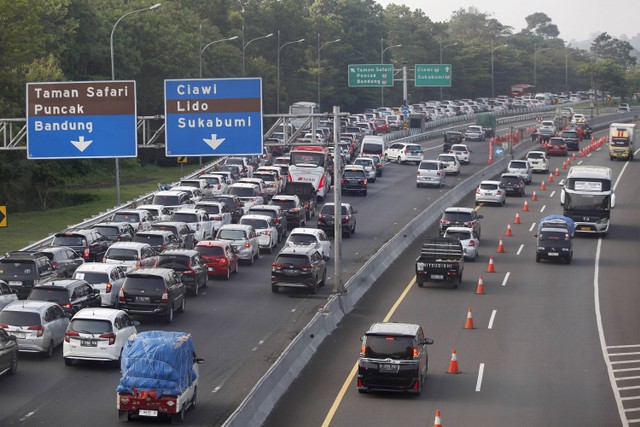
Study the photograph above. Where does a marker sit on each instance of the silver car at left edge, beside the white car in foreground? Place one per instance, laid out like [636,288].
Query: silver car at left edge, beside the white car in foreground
[39,326]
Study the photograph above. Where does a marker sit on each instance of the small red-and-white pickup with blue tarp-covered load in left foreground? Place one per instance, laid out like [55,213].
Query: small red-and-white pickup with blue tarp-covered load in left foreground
[159,376]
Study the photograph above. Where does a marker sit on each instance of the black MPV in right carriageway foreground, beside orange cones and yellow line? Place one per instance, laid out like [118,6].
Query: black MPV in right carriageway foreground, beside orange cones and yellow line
[393,356]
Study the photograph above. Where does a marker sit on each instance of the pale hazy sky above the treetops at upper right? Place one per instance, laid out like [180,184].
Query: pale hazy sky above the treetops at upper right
[576,19]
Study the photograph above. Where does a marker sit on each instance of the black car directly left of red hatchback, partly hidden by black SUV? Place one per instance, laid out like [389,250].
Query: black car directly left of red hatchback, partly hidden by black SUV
[188,264]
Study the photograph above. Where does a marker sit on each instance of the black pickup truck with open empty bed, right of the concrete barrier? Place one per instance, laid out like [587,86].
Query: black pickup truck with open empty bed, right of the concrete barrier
[441,258]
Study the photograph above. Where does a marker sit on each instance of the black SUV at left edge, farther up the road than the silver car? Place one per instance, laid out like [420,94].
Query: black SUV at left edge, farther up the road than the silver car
[22,270]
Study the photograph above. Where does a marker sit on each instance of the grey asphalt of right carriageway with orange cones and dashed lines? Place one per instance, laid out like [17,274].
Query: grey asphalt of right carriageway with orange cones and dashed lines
[543,349]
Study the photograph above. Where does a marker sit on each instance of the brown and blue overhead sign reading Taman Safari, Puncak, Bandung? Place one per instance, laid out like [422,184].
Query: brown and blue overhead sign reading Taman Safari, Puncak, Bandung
[81,120]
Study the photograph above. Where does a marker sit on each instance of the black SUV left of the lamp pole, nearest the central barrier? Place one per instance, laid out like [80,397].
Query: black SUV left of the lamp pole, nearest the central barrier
[298,267]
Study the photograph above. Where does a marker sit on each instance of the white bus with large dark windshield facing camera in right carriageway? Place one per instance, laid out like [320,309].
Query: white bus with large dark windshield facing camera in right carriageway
[587,198]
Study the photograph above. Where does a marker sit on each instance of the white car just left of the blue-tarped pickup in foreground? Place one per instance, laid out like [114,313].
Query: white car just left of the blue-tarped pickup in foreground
[97,334]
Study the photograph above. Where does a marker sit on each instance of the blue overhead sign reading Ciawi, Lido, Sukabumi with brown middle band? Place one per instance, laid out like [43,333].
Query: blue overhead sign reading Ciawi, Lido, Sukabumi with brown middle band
[213,117]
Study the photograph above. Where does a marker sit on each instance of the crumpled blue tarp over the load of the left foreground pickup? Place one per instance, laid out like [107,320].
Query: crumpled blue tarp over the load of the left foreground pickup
[157,361]
